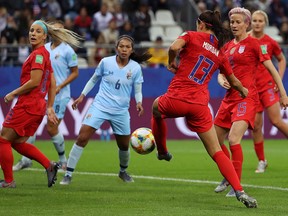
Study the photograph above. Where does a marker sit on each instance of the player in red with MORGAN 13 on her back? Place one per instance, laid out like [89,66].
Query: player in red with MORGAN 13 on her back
[187,95]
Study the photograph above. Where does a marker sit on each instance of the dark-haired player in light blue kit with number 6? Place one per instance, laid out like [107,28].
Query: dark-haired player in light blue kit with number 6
[118,73]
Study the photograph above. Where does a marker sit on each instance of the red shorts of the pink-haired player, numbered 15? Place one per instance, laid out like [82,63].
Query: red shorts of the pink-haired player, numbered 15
[235,111]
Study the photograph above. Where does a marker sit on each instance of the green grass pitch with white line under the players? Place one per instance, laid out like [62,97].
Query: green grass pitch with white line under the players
[183,186]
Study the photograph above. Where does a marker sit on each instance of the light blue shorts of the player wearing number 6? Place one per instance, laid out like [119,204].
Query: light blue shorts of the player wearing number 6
[120,122]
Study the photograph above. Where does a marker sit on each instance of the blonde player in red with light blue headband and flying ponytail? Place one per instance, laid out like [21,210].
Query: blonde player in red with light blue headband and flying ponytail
[23,119]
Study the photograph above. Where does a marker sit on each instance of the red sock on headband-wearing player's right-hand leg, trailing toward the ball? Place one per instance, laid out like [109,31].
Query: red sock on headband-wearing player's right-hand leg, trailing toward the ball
[32,152]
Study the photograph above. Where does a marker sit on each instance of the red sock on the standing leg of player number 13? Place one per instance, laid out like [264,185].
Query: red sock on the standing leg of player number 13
[227,170]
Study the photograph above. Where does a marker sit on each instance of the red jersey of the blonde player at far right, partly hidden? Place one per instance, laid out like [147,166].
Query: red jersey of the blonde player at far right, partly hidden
[264,80]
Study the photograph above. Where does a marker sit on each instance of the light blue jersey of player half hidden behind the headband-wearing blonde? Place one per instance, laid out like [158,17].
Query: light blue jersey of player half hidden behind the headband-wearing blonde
[63,57]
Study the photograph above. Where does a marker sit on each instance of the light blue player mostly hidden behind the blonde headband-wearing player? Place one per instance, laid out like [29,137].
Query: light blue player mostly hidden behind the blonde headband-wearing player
[65,66]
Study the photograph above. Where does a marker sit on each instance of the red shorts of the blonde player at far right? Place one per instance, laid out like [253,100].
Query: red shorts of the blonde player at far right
[267,99]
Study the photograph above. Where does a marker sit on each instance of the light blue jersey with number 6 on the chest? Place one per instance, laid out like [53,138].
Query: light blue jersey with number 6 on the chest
[116,85]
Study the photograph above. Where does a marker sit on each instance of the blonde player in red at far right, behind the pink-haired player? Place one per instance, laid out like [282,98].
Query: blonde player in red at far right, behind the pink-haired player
[267,90]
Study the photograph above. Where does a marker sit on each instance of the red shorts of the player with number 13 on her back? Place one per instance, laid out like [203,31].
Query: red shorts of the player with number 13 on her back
[198,117]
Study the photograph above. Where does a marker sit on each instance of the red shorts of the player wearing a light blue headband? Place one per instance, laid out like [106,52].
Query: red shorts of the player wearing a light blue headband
[22,122]
